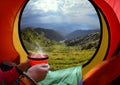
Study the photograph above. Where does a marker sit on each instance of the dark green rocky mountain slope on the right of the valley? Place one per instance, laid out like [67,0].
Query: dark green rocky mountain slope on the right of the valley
[86,42]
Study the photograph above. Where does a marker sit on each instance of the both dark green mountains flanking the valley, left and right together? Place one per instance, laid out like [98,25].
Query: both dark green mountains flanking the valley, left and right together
[33,37]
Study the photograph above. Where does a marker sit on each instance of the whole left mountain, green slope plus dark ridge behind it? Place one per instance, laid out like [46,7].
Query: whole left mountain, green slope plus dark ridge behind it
[33,38]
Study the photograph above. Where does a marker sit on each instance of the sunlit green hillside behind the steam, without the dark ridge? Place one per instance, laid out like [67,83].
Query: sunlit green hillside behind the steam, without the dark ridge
[33,40]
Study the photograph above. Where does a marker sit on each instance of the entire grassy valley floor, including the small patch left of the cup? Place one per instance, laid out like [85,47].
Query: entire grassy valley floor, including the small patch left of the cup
[61,56]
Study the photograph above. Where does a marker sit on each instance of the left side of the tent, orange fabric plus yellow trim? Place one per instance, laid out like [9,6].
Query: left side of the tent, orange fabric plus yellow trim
[10,42]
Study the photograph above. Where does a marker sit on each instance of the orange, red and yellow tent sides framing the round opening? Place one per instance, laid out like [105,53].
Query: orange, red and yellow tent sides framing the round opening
[11,48]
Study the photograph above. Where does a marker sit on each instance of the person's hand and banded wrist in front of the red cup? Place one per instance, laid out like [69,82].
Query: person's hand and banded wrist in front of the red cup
[34,74]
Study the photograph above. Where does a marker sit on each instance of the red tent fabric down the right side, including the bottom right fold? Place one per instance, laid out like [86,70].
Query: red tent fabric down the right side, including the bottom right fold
[105,72]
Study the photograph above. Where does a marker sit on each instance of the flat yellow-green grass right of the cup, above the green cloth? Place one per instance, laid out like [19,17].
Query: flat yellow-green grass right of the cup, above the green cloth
[61,60]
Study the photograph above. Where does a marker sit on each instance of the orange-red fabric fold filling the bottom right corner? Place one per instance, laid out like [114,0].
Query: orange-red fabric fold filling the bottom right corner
[104,73]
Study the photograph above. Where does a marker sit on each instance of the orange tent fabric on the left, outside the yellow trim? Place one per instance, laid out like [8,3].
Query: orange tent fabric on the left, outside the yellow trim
[8,12]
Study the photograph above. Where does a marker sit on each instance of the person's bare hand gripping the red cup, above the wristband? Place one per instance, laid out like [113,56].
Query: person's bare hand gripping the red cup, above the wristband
[38,72]
